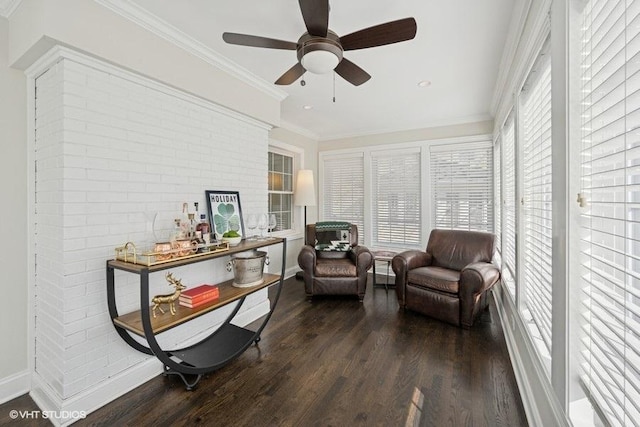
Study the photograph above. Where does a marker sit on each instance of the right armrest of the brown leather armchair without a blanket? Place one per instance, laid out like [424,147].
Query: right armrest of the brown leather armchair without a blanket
[475,280]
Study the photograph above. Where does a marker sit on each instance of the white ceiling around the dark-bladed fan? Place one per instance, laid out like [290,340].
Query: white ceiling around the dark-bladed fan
[458,48]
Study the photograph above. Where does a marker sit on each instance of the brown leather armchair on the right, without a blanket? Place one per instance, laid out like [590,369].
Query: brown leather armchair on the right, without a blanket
[450,280]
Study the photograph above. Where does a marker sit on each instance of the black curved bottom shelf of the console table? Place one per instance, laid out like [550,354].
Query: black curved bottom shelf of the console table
[225,344]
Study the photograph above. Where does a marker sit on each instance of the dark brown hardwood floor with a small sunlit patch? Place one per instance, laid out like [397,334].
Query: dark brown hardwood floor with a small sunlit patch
[337,362]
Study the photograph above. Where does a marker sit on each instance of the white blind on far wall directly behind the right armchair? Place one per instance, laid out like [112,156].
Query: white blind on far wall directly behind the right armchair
[462,186]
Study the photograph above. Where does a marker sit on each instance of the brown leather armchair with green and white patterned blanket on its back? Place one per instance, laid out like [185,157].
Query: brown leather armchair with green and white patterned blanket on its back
[334,271]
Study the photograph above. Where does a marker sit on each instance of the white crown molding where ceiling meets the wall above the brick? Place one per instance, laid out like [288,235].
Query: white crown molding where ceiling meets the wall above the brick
[161,28]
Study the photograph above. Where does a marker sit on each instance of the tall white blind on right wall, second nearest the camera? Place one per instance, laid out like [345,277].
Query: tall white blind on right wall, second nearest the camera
[536,152]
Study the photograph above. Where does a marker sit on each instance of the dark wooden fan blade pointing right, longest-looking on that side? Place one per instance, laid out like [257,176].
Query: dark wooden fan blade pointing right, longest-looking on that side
[380,35]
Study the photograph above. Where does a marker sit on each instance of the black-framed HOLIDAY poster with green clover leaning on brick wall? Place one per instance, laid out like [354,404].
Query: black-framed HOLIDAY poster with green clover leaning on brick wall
[225,212]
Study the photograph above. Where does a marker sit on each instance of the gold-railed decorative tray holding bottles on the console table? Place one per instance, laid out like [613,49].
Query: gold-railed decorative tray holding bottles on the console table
[128,253]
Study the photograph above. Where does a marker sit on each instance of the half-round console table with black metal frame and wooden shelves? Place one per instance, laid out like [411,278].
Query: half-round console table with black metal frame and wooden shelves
[213,352]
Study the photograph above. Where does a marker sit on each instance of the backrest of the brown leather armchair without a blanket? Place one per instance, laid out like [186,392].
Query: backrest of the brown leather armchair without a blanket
[455,249]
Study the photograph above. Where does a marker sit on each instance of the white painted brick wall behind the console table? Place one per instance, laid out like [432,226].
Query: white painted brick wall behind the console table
[113,150]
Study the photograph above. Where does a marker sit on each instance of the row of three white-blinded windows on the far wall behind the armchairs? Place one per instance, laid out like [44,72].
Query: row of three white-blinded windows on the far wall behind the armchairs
[384,189]
